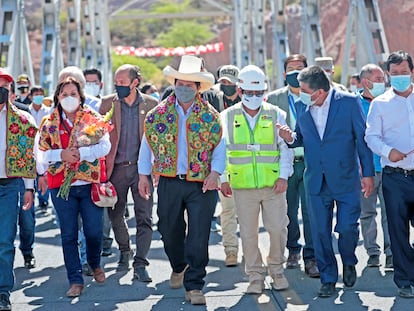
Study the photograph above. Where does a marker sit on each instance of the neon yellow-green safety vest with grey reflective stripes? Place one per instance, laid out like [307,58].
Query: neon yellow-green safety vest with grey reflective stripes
[253,156]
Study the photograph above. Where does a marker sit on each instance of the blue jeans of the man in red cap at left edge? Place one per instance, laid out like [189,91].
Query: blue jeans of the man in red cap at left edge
[9,208]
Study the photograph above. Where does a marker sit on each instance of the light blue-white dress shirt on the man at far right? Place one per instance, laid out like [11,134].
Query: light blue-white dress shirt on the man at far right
[390,124]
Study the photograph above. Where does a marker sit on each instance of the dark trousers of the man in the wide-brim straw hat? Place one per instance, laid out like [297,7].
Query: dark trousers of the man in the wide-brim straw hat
[186,243]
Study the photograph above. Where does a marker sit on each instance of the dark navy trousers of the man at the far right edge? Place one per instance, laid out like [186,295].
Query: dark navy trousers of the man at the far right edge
[399,205]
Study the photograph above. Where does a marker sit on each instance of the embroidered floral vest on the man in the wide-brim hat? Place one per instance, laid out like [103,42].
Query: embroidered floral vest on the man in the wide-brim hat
[203,135]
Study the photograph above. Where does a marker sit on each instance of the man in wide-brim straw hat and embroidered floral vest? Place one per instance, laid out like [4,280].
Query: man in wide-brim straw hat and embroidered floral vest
[183,145]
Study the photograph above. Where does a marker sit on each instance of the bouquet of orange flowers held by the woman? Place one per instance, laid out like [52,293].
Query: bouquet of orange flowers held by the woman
[89,130]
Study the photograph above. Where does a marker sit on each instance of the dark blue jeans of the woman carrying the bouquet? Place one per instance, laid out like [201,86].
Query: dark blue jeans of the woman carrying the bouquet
[79,202]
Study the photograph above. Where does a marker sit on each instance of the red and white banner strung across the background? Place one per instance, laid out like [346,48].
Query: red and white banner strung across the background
[158,52]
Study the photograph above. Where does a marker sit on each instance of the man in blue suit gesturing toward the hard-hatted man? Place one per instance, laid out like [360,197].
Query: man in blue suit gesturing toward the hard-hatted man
[331,127]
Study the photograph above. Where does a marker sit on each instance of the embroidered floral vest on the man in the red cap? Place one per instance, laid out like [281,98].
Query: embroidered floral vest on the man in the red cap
[21,132]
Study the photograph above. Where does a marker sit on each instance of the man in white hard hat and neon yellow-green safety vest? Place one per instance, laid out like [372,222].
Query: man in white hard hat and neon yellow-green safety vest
[259,164]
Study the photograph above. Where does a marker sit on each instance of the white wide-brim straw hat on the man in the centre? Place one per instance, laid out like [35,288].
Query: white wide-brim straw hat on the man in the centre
[190,69]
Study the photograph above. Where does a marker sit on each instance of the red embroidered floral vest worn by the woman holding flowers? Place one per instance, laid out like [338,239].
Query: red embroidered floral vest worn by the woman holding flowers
[50,138]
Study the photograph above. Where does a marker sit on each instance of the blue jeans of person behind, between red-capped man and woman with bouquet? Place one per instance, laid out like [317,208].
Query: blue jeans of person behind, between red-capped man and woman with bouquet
[26,223]
